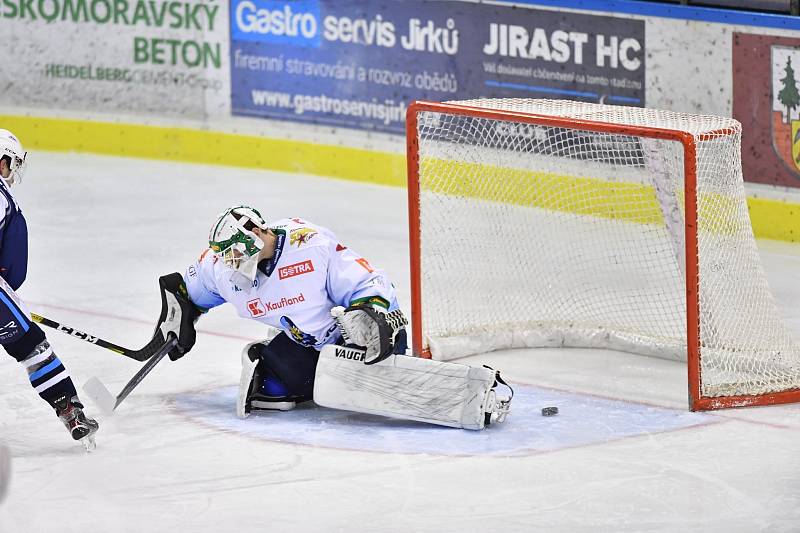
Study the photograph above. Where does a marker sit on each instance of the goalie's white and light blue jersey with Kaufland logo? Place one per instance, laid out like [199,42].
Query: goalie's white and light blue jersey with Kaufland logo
[310,273]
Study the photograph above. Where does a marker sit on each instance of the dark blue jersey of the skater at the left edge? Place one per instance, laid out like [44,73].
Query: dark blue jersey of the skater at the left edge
[13,240]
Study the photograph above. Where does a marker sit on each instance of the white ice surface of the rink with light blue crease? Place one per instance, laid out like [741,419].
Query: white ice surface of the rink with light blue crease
[624,454]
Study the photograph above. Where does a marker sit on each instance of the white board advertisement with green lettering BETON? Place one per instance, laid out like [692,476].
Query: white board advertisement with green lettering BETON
[136,57]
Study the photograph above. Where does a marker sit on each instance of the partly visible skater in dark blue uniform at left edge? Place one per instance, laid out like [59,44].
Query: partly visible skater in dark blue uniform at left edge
[22,338]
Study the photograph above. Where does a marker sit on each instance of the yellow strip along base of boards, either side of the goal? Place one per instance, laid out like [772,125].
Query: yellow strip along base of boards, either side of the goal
[771,219]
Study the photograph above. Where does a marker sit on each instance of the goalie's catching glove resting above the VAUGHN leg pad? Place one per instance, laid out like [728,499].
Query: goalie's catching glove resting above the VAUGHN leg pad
[370,327]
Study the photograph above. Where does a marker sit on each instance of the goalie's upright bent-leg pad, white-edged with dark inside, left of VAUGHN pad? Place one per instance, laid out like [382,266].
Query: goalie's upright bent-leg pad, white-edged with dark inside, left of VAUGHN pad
[258,387]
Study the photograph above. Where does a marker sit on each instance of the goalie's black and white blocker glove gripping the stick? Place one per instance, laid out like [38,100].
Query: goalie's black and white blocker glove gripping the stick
[178,314]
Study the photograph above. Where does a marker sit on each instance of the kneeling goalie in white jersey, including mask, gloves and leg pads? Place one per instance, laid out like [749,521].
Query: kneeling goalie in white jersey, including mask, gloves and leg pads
[336,332]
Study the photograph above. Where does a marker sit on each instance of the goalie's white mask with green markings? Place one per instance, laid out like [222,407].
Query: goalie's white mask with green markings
[233,240]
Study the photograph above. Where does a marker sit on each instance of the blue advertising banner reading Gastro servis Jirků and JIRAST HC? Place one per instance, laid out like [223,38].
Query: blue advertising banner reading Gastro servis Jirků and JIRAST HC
[359,63]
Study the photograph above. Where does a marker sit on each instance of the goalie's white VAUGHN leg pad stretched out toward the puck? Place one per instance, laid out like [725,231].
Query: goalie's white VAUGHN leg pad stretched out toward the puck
[437,392]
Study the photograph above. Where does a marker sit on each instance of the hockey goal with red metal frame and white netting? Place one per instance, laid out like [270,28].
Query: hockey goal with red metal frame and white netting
[555,223]
